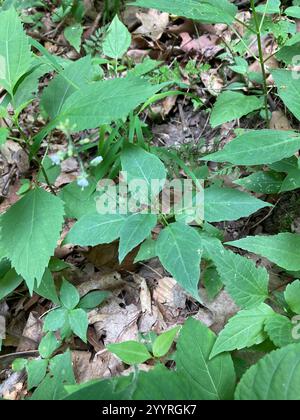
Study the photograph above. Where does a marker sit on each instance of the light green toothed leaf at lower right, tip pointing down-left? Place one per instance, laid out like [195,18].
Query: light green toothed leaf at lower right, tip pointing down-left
[243,330]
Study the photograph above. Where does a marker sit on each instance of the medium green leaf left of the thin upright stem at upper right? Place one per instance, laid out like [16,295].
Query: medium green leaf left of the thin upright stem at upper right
[233,105]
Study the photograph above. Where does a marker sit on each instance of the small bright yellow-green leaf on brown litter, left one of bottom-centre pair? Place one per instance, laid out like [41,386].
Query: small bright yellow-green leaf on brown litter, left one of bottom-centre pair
[130,352]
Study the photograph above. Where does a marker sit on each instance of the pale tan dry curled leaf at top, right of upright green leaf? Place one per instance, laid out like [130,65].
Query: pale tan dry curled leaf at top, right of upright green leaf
[154,23]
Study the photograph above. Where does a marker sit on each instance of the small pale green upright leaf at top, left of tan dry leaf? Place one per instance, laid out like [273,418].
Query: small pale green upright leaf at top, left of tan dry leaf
[117,40]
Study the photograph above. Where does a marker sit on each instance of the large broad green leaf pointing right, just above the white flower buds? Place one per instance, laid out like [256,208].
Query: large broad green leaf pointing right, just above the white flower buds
[103,102]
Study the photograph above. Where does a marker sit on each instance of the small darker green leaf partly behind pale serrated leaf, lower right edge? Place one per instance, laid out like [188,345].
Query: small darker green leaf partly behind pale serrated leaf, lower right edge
[280,330]
